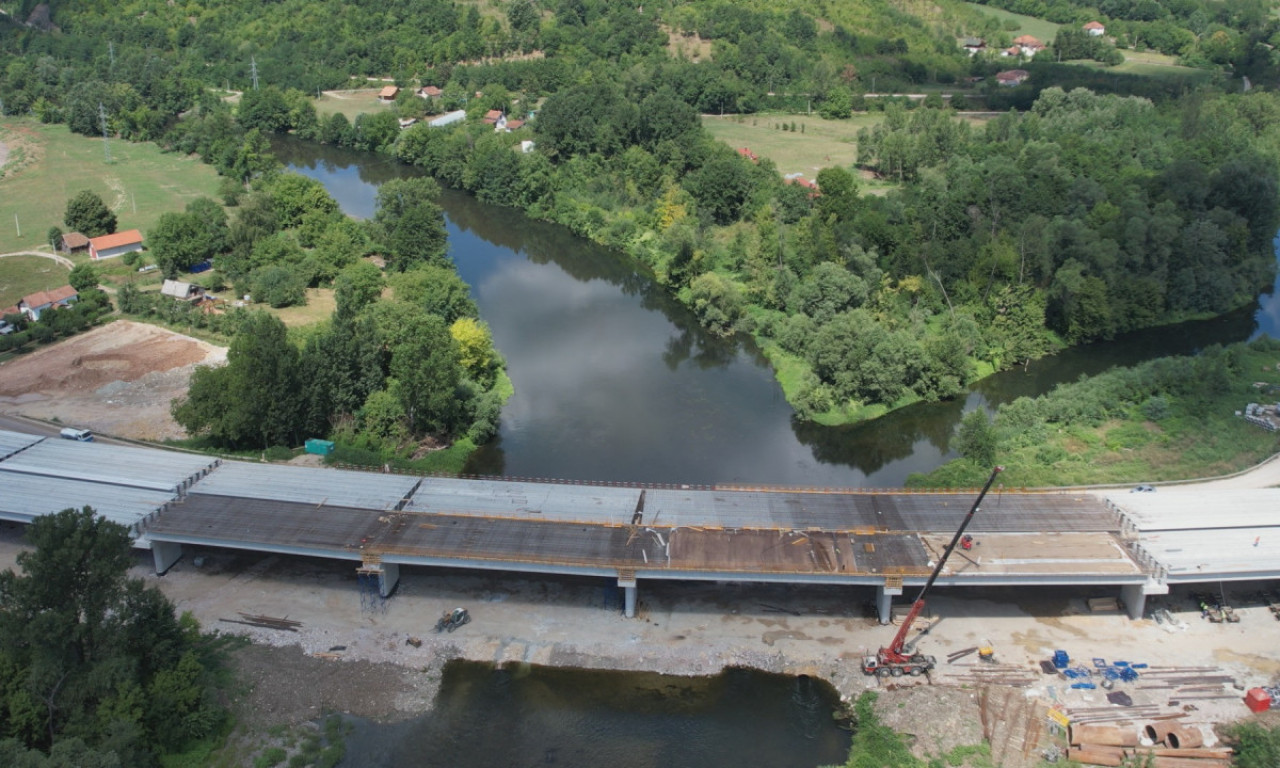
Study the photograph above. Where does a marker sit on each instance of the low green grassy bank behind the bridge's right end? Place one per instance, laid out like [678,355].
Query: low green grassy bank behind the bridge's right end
[1168,419]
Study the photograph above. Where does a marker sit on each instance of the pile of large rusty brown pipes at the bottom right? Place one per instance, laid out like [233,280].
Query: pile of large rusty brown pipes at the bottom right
[1177,746]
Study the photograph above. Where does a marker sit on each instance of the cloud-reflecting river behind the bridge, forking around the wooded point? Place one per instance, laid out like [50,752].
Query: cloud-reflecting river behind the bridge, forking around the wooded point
[615,381]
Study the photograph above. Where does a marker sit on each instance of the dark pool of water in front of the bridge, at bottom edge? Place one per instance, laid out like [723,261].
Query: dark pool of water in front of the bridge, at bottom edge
[490,717]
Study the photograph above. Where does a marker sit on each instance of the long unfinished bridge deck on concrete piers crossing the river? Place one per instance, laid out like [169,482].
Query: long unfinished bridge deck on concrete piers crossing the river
[1130,543]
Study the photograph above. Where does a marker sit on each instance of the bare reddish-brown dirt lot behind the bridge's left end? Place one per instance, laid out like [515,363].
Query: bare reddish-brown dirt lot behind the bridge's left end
[117,380]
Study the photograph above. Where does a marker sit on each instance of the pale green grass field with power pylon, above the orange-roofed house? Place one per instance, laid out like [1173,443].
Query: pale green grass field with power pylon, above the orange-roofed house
[48,164]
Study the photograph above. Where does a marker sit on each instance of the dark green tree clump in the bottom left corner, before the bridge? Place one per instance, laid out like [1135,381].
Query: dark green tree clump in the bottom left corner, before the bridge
[97,665]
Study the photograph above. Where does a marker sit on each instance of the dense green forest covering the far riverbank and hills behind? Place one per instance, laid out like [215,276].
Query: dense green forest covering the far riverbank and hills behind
[1087,214]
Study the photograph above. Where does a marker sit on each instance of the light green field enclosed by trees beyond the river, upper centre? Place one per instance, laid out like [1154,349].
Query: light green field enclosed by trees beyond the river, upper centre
[825,144]
